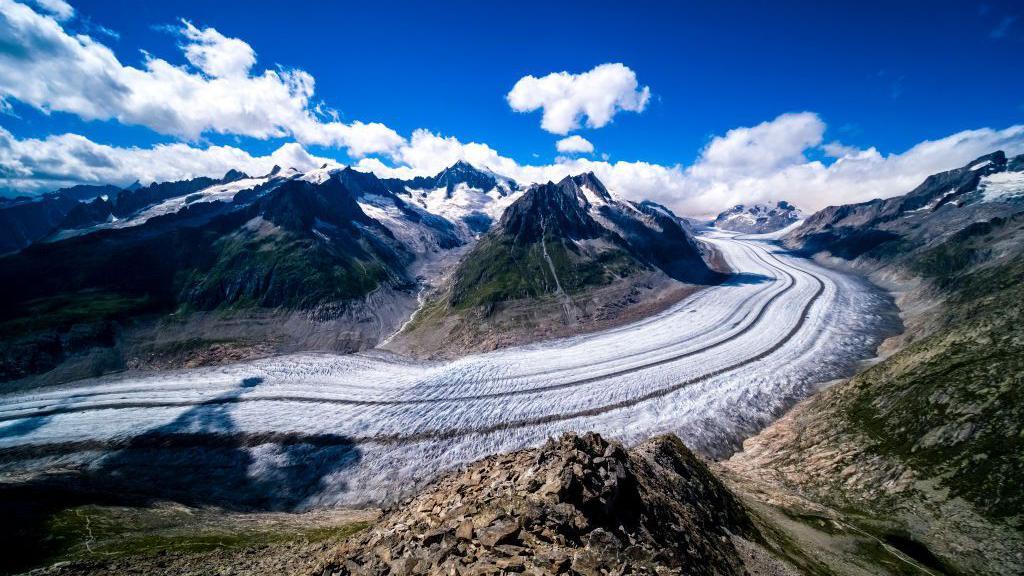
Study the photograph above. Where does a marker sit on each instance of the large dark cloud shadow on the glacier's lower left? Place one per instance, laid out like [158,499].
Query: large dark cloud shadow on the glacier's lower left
[202,459]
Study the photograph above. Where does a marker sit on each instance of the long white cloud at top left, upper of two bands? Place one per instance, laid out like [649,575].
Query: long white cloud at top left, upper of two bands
[219,94]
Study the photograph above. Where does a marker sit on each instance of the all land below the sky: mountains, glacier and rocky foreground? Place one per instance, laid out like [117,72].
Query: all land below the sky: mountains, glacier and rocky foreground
[547,309]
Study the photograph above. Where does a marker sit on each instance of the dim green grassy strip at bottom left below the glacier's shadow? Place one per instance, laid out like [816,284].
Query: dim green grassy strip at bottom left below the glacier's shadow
[170,539]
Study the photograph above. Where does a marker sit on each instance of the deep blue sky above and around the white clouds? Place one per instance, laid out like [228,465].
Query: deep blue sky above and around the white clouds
[877,76]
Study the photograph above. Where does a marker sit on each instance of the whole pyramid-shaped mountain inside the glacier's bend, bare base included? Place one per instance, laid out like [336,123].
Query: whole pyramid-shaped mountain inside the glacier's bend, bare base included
[565,258]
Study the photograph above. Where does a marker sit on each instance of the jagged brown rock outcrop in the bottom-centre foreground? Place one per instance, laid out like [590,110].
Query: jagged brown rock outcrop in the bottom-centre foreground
[577,506]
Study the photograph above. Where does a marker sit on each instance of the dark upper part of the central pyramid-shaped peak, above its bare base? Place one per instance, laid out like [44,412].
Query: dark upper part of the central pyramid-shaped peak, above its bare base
[564,238]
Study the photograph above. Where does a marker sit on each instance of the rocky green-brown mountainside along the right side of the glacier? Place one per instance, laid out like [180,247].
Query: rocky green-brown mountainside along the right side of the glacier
[925,446]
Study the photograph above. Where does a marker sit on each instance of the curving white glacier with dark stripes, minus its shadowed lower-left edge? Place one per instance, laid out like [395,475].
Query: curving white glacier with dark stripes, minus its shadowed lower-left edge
[715,368]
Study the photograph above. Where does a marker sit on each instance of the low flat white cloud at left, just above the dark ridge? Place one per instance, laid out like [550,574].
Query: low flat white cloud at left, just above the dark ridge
[34,166]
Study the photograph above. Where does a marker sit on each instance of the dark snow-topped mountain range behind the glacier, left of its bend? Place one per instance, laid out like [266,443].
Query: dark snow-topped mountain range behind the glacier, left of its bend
[206,270]
